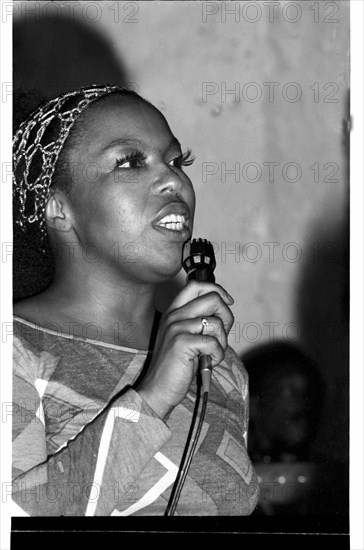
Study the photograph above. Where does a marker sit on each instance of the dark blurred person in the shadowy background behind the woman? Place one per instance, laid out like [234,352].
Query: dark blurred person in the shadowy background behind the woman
[286,398]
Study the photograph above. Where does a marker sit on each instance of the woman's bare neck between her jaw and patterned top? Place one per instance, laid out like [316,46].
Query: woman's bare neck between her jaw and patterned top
[96,295]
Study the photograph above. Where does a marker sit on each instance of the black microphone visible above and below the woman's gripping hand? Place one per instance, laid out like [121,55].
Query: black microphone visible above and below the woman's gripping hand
[199,263]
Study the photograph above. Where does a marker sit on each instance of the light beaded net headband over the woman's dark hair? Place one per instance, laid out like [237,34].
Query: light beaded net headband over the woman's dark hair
[36,148]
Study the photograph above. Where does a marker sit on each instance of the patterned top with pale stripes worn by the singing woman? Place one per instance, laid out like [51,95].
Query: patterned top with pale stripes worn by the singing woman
[85,443]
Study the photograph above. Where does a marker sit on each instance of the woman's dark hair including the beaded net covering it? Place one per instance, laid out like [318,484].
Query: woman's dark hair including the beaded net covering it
[41,142]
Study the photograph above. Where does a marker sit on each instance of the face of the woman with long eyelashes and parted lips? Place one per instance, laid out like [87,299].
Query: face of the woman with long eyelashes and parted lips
[132,202]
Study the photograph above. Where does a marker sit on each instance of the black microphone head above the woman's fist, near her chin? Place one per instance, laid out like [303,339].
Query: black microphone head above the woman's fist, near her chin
[199,260]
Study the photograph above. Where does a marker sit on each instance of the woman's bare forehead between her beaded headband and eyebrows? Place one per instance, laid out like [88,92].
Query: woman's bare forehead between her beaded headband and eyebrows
[117,116]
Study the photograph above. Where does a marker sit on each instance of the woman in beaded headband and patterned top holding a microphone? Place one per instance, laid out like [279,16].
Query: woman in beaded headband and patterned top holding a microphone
[99,174]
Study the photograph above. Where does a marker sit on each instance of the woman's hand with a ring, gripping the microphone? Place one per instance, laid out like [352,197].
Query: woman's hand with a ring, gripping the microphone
[180,342]
